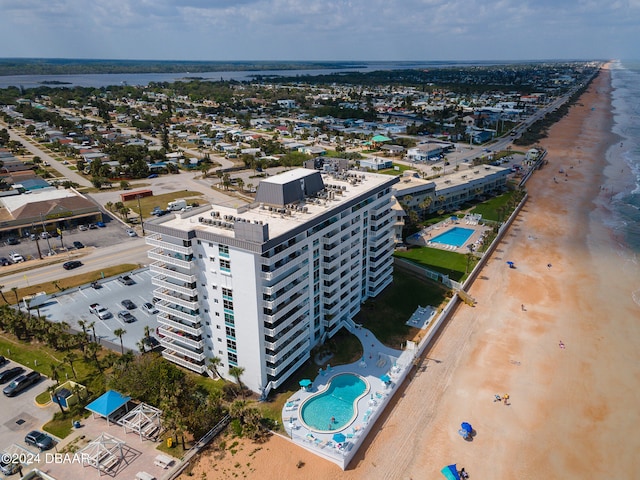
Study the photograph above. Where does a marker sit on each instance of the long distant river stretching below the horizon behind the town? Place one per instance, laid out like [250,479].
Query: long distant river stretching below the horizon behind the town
[141,79]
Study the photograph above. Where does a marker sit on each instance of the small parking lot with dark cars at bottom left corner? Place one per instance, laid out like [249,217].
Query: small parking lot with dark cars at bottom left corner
[19,415]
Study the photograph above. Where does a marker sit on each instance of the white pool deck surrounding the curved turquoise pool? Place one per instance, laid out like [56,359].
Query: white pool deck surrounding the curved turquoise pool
[378,360]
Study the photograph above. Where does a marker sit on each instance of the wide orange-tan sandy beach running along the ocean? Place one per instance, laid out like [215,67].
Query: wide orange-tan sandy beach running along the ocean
[559,339]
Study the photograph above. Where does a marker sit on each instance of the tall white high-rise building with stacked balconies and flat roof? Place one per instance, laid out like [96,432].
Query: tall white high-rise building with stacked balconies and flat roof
[259,286]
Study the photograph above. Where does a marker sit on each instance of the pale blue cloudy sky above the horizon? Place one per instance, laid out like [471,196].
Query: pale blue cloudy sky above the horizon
[321,30]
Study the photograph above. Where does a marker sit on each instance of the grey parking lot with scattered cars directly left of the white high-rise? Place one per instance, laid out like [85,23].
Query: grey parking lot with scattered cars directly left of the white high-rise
[73,305]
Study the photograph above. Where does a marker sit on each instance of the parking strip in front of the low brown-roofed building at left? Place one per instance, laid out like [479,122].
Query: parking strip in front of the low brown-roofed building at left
[113,233]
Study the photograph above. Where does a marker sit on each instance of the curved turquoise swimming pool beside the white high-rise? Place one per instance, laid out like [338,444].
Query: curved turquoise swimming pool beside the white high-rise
[336,406]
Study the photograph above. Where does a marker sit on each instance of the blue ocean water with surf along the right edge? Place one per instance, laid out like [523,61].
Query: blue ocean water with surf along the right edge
[625,78]
